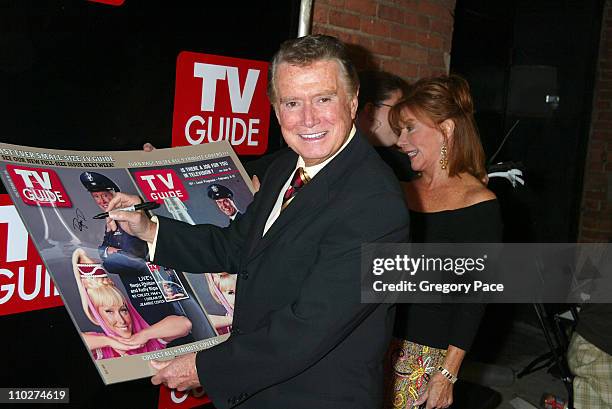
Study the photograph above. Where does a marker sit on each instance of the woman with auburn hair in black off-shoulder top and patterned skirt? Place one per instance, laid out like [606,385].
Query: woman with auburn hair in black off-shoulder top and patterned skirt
[449,203]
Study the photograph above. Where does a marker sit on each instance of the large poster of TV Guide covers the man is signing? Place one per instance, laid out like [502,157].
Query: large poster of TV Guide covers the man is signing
[127,310]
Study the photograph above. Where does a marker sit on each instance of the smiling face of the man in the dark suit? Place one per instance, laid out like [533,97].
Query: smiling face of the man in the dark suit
[314,109]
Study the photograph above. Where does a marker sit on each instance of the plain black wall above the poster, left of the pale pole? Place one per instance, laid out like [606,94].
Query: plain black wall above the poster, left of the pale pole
[82,75]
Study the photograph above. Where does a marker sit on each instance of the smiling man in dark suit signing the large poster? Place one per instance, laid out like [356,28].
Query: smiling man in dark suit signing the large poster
[301,337]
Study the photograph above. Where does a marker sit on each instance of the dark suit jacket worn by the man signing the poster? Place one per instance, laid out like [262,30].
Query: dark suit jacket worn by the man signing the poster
[301,338]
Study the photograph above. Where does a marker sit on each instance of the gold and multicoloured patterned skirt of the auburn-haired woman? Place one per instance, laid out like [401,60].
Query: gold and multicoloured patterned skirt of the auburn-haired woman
[408,367]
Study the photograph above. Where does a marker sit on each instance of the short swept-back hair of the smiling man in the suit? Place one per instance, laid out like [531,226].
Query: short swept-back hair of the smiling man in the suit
[306,50]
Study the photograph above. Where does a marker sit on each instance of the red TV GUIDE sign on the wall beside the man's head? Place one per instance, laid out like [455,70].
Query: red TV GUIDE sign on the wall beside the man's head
[221,98]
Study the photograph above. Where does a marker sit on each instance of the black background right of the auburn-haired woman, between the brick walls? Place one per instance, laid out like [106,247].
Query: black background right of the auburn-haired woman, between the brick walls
[514,54]
